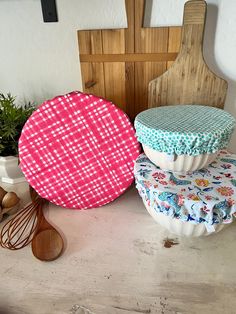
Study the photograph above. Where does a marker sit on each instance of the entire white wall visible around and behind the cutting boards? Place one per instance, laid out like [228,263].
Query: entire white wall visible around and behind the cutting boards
[40,60]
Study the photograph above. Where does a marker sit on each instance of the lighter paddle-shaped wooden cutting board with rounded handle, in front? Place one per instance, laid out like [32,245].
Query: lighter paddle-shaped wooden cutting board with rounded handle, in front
[189,80]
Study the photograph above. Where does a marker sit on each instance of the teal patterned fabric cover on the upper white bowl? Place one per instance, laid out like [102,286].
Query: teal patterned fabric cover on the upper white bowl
[185,129]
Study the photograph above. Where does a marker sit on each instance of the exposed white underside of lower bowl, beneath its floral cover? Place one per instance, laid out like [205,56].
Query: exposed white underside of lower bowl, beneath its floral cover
[182,228]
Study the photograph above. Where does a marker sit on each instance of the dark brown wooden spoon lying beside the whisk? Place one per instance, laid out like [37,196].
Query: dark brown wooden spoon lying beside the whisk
[47,244]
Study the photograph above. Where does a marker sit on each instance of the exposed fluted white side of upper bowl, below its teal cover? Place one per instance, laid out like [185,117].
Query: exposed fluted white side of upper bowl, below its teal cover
[180,163]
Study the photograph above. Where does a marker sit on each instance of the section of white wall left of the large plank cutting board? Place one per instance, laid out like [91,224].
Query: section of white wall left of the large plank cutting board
[40,60]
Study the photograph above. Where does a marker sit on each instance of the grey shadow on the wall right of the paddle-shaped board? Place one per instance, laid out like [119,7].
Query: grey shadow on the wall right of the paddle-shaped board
[210,58]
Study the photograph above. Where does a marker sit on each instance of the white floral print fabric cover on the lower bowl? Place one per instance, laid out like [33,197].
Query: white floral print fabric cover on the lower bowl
[203,196]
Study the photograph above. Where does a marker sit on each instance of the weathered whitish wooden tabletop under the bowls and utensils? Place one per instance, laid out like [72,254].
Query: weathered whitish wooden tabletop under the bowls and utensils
[115,263]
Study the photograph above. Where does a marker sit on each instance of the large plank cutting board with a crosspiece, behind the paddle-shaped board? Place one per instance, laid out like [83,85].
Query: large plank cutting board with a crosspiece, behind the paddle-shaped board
[119,63]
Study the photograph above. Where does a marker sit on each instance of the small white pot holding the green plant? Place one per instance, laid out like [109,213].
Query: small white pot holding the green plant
[10,171]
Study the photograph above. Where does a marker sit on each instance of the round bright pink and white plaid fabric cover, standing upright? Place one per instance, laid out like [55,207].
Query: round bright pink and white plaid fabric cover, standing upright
[78,151]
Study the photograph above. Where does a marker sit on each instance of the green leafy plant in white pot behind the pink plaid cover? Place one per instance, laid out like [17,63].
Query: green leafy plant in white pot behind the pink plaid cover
[12,120]
